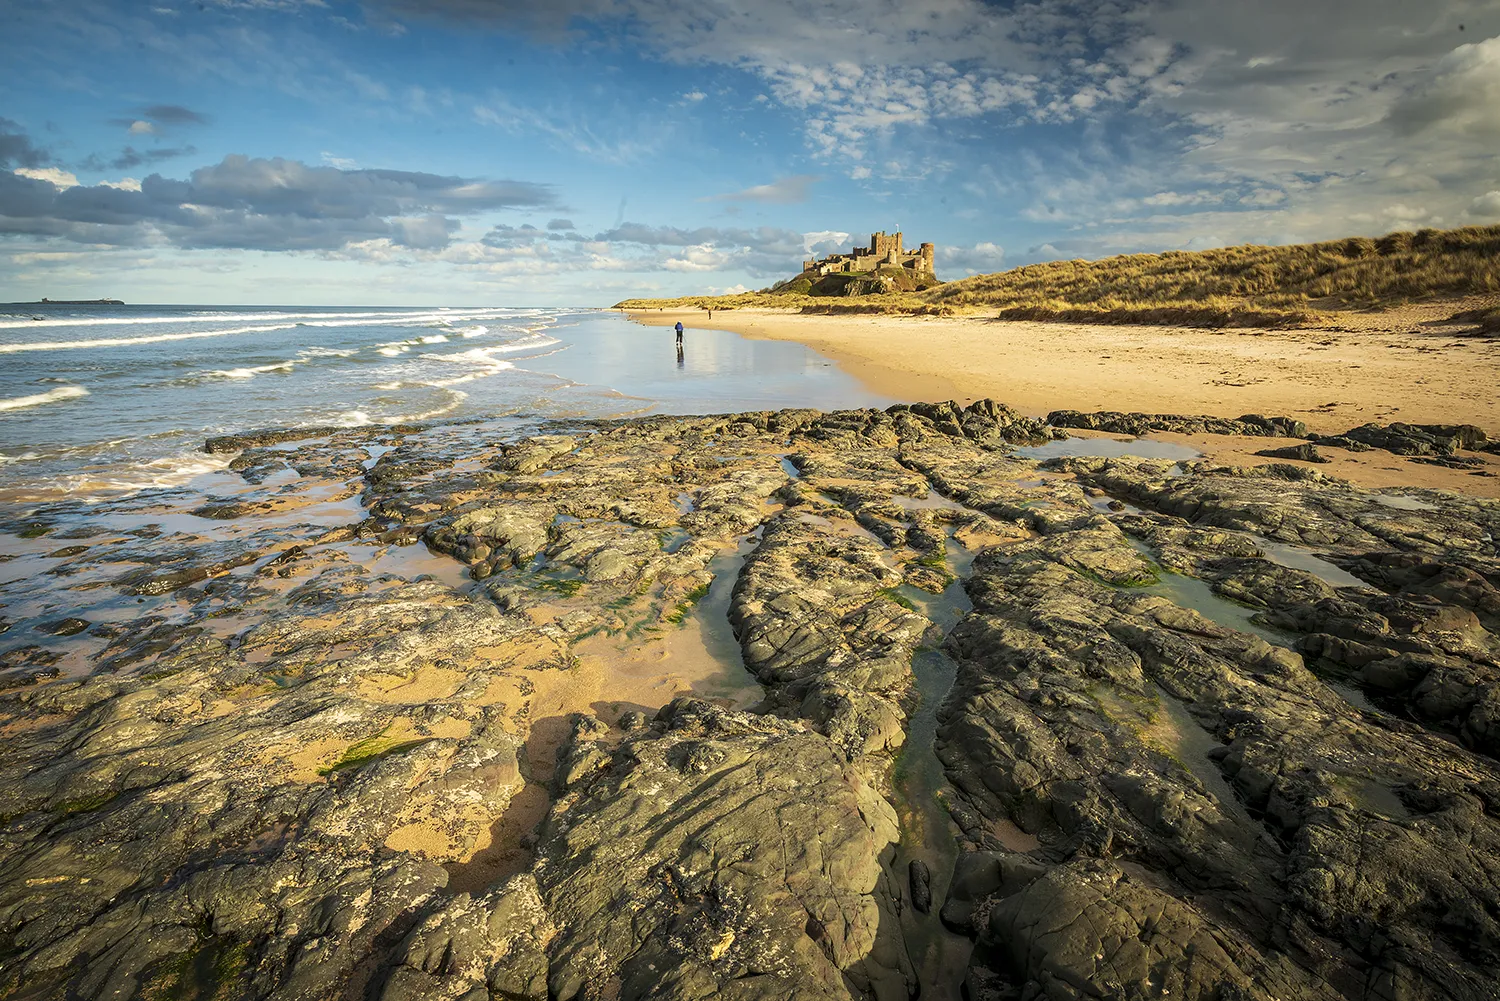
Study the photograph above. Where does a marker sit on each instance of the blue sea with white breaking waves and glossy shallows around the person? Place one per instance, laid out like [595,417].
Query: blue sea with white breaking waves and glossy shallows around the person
[100,401]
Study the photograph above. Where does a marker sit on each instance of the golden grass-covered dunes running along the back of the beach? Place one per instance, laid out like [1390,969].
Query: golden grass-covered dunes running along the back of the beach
[1240,286]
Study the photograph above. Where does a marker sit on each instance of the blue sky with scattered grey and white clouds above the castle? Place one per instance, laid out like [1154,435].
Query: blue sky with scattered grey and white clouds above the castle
[580,152]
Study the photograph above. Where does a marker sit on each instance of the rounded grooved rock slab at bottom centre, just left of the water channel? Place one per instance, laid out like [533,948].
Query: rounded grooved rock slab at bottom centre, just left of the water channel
[631,880]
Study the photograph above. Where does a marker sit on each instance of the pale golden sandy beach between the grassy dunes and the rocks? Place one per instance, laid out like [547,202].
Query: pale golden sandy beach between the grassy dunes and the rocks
[1400,365]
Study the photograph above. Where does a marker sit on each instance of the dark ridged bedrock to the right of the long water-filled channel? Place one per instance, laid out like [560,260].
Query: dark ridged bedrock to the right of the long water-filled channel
[1213,819]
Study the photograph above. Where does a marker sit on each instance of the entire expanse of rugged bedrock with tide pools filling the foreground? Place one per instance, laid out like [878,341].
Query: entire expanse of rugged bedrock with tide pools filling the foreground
[439,714]
